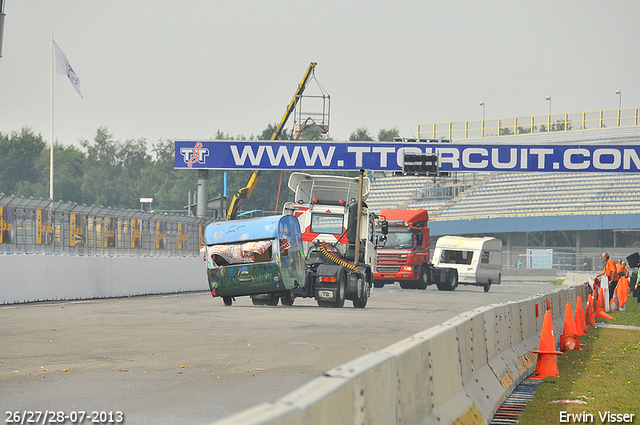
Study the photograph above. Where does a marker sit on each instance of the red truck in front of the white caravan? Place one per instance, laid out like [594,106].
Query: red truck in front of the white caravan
[405,257]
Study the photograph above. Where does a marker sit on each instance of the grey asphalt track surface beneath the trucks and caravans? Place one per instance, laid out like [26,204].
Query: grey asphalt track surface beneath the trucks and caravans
[187,358]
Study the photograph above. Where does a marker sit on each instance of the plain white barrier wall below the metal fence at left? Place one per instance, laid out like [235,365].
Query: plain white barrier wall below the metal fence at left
[69,278]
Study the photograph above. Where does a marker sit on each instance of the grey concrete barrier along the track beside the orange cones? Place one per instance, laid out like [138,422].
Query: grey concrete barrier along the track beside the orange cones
[458,372]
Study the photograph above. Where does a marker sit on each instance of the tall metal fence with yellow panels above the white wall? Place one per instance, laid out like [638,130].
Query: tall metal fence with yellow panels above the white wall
[42,226]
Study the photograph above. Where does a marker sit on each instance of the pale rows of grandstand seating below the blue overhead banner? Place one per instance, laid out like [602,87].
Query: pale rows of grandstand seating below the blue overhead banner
[509,194]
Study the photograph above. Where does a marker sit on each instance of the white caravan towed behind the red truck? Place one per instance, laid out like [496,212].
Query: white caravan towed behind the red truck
[478,260]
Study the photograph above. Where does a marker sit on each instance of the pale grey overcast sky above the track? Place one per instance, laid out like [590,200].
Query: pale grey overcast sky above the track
[185,69]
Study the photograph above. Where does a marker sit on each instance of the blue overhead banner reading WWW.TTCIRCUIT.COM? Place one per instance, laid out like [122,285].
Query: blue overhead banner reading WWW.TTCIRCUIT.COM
[389,156]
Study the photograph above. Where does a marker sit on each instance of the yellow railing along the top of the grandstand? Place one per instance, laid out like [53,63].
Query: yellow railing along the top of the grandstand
[533,124]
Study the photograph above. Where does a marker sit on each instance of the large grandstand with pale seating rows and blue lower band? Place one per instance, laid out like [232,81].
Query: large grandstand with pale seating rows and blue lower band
[577,215]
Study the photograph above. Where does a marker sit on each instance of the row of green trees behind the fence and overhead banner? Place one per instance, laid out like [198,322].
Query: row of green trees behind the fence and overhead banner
[116,174]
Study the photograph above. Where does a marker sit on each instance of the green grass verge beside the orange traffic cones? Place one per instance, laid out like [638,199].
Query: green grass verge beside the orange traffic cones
[603,377]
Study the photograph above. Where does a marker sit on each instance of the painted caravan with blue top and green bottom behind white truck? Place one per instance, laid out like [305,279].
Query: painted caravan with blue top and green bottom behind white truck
[262,257]
